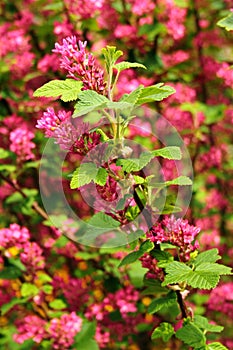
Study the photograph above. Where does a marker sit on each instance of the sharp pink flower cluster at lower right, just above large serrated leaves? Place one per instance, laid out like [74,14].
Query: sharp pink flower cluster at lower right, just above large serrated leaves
[177,232]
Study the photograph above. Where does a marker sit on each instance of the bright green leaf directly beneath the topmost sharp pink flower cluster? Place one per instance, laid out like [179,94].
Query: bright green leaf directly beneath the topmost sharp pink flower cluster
[89,100]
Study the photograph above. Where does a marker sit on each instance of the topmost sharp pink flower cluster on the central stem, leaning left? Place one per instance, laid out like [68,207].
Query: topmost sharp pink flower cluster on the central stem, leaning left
[80,65]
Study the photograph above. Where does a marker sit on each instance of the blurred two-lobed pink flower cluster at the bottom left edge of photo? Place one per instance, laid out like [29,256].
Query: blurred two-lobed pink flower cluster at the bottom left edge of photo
[60,330]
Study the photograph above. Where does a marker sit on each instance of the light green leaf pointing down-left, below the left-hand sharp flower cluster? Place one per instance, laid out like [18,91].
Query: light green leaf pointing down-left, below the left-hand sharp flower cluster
[83,175]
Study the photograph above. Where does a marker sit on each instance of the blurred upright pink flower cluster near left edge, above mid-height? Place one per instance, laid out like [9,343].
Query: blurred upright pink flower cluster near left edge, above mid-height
[21,144]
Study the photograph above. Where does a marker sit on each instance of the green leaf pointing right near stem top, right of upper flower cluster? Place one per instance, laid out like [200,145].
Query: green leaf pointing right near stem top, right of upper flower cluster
[155,93]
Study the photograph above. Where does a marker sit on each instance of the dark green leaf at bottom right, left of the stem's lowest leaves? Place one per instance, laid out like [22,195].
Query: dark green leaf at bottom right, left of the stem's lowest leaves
[190,334]
